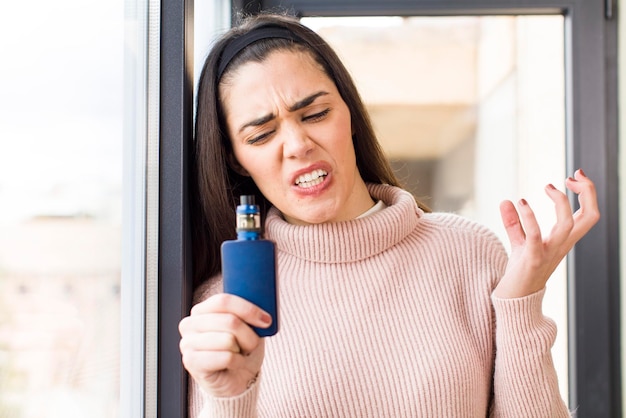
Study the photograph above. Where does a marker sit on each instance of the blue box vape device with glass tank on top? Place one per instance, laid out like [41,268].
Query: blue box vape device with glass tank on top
[249,264]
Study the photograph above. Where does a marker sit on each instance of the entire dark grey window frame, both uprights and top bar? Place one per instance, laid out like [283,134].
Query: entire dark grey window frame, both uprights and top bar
[592,143]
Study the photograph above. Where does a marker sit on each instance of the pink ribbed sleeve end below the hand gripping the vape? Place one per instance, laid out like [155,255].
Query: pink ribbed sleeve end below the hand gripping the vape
[202,405]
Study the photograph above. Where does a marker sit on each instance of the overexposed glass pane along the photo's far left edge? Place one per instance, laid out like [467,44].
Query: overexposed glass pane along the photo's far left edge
[61,124]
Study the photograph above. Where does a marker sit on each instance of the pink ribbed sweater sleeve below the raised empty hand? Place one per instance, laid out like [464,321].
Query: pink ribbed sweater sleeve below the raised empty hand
[525,381]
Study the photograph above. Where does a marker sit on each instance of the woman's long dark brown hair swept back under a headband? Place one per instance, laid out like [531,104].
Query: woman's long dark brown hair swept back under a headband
[215,186]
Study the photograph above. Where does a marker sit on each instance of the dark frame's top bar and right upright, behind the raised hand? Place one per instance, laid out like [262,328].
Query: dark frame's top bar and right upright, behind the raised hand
[590,49]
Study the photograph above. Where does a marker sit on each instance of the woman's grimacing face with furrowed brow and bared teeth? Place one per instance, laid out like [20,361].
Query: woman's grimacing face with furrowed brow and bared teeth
[290,131]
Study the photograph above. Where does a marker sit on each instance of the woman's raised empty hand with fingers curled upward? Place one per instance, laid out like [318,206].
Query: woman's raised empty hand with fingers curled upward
[534,258]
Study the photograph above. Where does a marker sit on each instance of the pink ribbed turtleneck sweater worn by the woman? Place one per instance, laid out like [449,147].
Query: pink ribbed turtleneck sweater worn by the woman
[391,315]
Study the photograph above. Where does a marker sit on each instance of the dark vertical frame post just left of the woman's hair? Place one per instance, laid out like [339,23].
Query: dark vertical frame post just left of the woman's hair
[174,262]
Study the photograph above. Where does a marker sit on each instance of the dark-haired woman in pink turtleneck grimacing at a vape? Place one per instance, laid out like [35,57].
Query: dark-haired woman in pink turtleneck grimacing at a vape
[387,310]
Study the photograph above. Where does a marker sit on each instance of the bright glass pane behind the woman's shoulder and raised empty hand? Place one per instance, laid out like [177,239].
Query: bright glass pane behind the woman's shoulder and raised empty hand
[470,111]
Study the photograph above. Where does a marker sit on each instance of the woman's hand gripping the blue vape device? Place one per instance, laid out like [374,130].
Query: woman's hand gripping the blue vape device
[220,350]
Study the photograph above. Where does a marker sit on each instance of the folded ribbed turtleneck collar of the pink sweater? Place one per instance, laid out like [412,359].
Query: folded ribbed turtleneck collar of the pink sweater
[357,239]
